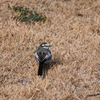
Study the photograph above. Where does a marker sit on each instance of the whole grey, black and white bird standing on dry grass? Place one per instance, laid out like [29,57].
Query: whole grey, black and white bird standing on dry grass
[43,55]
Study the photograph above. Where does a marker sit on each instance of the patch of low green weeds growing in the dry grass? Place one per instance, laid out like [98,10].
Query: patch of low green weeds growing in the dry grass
[28,16]
